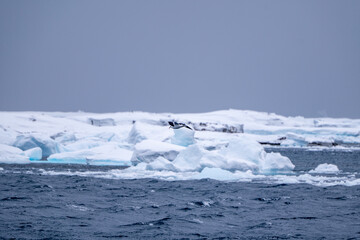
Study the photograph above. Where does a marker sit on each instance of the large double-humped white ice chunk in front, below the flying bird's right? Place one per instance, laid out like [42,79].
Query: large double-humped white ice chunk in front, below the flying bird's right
[241,154]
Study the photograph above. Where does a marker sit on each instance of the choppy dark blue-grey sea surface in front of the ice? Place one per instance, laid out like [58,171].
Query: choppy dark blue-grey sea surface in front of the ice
[37,205]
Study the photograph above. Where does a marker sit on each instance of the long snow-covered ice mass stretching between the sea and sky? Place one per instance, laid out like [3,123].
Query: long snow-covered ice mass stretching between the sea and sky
[223,145]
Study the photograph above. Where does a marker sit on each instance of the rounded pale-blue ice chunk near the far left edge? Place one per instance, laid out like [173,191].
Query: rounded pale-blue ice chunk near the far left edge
[47,145]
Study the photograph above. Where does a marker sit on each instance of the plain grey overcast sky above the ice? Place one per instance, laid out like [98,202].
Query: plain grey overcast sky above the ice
[288,57]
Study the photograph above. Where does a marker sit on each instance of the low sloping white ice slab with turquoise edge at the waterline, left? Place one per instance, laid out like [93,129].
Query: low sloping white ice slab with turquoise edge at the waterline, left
[107,154]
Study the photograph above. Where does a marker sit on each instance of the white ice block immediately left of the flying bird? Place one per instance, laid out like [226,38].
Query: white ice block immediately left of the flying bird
[142,131]
